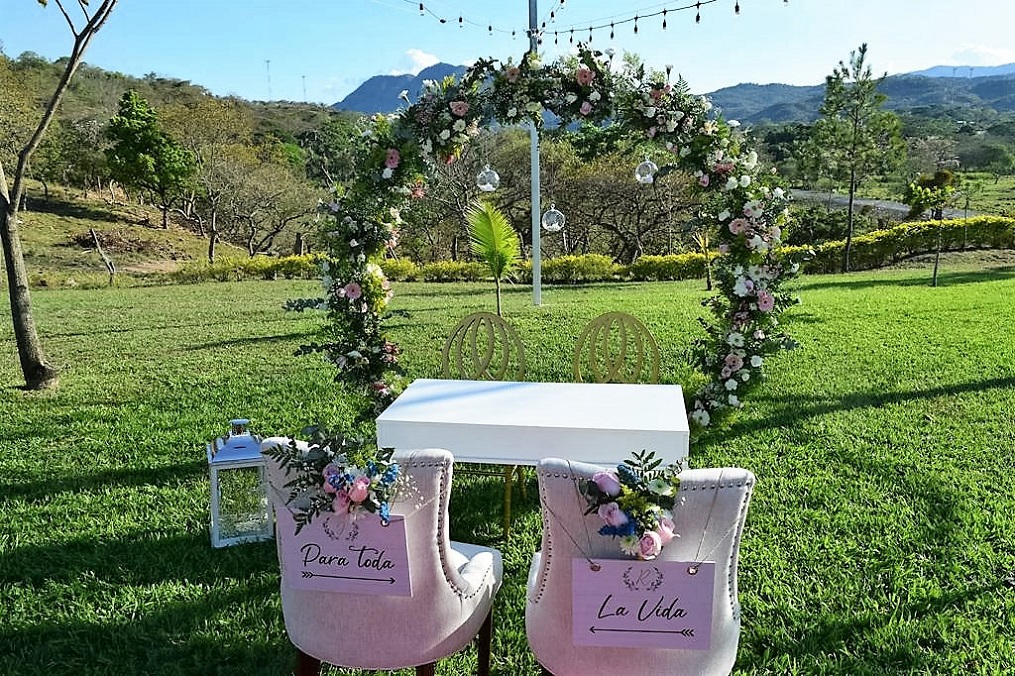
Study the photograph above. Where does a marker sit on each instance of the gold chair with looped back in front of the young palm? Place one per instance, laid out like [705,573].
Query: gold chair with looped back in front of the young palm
[485,348]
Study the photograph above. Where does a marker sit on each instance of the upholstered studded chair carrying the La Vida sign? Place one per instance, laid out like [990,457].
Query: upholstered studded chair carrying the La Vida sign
[710,522]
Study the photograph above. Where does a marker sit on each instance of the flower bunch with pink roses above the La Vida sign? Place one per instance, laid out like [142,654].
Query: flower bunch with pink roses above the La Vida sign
[636,504]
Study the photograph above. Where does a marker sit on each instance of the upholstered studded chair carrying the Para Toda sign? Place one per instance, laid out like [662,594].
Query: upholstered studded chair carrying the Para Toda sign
[453,587]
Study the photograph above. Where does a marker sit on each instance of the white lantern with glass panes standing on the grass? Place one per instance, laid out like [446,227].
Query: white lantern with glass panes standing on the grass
[241,511]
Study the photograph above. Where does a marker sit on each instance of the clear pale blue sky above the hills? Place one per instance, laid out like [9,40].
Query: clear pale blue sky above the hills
[322,50]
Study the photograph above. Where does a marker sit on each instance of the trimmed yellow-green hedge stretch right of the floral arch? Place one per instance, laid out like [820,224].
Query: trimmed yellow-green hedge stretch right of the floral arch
[882,248]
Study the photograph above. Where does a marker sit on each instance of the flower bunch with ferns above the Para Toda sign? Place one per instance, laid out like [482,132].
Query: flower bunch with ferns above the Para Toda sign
[337,475]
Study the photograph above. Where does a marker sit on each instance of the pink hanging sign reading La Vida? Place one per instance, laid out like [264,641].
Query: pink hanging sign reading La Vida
[643,604]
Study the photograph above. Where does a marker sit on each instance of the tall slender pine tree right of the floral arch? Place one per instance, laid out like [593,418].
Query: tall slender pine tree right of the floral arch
[855,139]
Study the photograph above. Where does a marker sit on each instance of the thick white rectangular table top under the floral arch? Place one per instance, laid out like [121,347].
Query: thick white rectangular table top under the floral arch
[520,424]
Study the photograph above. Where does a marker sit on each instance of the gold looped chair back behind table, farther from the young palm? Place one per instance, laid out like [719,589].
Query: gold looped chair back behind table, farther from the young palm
[617,348]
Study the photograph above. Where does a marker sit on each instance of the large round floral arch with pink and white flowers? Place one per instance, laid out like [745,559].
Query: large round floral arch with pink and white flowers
[745,205]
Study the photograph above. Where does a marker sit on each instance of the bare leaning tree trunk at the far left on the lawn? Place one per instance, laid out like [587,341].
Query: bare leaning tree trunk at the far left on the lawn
[37,372]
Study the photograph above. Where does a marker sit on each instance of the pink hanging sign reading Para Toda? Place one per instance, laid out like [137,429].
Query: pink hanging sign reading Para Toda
[336,554]
